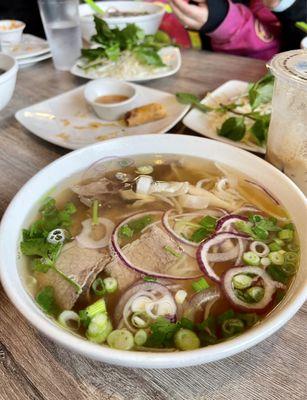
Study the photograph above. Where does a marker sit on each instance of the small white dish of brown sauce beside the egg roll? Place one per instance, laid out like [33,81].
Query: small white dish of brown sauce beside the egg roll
[107,87]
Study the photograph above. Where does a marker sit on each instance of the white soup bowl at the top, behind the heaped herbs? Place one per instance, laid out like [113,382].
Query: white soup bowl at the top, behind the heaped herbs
[149,23]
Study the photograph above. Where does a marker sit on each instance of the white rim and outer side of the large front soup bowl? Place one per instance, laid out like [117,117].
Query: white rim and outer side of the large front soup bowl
[134,358]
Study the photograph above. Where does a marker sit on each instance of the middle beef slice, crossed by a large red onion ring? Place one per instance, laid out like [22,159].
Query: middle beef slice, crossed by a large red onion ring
[147,252]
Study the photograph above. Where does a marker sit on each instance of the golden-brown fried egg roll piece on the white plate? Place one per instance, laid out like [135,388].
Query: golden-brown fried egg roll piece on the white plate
[144,114]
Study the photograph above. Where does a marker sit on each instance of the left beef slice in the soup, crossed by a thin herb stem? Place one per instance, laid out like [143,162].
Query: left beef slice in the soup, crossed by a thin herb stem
[80,264]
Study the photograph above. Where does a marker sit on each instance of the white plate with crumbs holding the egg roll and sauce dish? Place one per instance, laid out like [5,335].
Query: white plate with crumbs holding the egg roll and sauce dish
[68,121]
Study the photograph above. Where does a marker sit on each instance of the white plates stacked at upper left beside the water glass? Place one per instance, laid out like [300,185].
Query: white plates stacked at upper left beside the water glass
[30,46]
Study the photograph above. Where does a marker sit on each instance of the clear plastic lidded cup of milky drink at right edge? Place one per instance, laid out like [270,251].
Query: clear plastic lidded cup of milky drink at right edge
[287,137]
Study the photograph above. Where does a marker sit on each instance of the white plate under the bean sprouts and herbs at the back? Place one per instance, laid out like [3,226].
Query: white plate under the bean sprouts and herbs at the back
[170,55]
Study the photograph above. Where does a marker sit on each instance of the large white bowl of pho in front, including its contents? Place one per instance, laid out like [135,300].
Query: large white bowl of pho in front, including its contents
[156,252]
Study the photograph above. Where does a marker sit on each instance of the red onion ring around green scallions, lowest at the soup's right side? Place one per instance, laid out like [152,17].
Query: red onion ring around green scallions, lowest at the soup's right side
[269,288]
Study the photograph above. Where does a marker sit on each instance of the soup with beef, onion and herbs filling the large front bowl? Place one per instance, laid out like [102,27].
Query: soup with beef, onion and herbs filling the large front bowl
[160,252]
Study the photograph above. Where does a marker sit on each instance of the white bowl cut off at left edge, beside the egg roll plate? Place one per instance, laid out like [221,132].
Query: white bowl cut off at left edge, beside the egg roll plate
[7,79]
